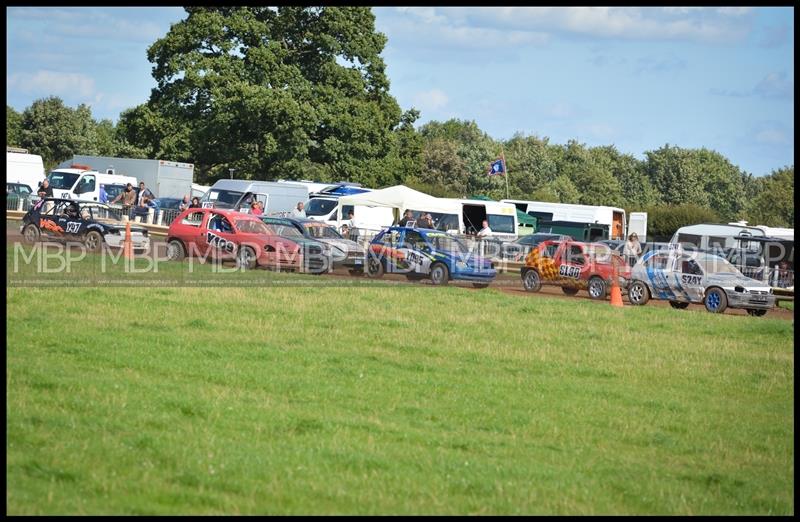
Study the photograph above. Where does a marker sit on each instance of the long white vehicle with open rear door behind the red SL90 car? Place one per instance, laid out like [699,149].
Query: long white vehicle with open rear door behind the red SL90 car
[612,216]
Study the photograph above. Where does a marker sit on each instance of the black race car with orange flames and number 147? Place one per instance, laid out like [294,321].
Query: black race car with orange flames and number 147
[88,222]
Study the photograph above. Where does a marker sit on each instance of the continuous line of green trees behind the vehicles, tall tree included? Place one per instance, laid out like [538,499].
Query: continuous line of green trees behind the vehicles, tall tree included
[302,93]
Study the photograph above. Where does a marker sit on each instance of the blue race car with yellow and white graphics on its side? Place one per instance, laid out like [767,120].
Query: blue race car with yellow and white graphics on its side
[420,253]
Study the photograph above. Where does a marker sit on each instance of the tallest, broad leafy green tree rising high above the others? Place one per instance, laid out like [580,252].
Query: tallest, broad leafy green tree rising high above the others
[268,90]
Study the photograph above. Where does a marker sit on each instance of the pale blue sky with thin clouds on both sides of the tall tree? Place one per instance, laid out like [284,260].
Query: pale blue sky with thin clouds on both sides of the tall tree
[637,78]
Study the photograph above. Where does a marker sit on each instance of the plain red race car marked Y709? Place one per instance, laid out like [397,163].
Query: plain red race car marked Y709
[230,235]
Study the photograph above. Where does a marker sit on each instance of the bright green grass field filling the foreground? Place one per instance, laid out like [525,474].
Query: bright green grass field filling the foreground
[390,400]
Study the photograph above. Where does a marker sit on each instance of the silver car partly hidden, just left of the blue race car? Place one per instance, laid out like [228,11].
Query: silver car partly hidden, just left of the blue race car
[341,252]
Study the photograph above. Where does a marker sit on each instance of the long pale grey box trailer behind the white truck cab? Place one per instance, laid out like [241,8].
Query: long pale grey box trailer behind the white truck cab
[166,179]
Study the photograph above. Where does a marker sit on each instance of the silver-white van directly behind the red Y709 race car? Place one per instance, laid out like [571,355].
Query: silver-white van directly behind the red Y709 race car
[238,194]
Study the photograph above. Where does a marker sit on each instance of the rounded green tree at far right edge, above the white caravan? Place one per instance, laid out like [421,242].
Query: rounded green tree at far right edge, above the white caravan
[774,204]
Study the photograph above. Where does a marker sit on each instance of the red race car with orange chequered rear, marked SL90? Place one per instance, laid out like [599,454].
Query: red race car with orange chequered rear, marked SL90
[574,266]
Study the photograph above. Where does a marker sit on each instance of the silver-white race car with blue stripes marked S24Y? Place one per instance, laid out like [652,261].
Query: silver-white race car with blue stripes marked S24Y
[696,277]
